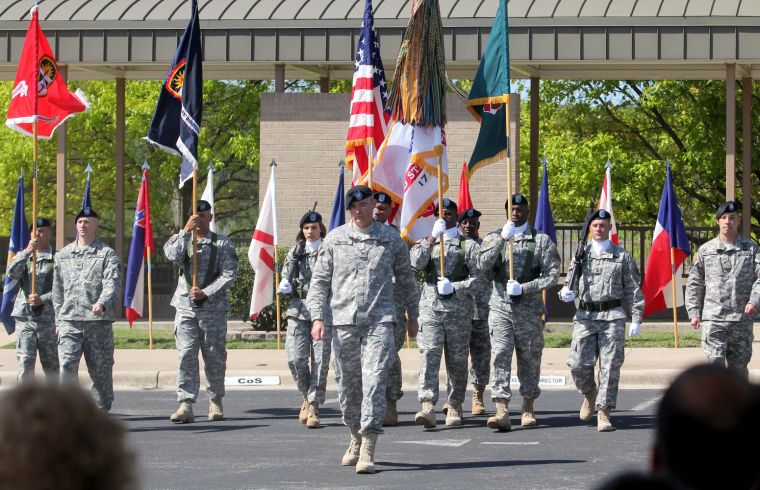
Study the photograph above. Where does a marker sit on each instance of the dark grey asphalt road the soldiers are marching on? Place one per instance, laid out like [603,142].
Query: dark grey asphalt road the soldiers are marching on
[261,444]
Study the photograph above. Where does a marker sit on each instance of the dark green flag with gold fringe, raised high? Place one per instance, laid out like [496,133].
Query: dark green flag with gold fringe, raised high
[489,95]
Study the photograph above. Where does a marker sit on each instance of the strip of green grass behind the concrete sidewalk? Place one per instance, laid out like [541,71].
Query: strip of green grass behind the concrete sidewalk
[125,338]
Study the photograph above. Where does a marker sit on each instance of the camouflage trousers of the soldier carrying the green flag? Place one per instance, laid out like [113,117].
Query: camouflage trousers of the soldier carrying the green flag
[524,335]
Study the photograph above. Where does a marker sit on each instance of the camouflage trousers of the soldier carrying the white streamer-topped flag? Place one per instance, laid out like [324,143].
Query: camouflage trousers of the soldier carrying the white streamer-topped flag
[443,334]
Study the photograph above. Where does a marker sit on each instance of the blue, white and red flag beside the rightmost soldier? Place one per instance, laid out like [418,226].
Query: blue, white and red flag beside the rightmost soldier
[669,233]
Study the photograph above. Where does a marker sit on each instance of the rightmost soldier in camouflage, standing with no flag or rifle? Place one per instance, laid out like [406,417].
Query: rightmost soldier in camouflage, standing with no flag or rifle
[723,292]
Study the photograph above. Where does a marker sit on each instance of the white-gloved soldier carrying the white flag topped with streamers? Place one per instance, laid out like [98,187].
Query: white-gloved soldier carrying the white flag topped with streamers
[446,311]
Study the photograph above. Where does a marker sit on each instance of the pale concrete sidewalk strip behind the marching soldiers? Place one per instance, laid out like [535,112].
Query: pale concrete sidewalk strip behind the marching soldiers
[156,369]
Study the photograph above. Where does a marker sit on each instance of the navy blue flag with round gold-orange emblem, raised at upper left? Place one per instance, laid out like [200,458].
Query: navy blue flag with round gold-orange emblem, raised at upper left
[176,122]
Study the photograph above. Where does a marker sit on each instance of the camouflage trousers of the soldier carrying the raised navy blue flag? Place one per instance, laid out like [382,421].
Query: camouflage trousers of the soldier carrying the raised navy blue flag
[207,332]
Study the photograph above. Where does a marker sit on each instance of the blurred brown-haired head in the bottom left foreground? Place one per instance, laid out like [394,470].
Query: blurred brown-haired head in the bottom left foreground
[55,437]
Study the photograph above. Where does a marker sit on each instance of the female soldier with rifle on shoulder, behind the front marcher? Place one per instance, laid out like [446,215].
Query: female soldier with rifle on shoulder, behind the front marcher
[299,346]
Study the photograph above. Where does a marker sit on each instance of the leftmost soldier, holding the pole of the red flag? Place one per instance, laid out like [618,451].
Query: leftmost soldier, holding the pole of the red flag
[33,312]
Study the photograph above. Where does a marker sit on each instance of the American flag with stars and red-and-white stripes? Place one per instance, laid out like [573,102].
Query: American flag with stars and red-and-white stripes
[369,97]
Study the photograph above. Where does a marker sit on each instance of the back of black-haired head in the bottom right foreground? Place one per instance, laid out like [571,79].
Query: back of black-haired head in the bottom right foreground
[707,430]
